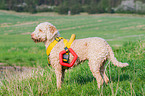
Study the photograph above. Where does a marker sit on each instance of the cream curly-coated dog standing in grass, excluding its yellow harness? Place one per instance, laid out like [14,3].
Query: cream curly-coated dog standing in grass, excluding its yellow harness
[96,50]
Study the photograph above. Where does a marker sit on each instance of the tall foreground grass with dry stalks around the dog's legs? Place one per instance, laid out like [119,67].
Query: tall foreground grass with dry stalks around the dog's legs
[128,81]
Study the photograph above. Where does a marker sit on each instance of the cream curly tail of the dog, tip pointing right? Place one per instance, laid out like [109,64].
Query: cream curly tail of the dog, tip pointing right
[114,60]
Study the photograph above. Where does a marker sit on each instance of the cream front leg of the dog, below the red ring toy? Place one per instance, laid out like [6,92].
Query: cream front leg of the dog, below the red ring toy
[59,76]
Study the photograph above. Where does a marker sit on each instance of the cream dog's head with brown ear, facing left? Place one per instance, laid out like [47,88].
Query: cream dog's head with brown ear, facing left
[44,31]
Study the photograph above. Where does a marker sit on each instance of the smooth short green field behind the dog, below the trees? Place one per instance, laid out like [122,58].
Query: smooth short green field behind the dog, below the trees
[17,47]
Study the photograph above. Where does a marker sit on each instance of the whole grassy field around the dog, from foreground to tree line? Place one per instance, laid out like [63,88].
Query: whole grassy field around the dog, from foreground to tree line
[124,33]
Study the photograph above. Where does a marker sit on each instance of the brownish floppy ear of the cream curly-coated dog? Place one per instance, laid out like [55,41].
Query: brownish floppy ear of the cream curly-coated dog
[51,32]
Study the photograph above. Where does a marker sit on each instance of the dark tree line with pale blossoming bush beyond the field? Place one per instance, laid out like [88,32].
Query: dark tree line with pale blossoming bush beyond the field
[75,6]
